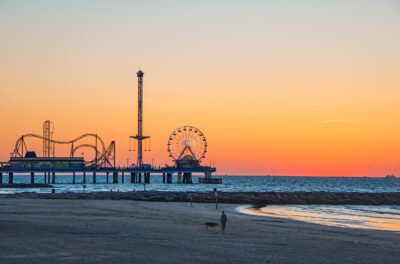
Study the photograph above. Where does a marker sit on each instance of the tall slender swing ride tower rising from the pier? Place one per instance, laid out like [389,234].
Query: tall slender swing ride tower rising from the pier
[139,136]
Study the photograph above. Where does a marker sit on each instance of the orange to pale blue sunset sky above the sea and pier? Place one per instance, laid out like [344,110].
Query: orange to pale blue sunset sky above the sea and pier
[278,87]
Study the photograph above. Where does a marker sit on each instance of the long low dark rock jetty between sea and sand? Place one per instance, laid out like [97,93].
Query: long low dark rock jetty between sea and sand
[258,199]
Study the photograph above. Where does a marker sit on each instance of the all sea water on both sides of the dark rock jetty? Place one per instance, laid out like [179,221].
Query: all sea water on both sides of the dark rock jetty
[349,216]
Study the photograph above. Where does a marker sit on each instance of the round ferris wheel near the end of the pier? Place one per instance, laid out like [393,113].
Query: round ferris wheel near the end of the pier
[187,143]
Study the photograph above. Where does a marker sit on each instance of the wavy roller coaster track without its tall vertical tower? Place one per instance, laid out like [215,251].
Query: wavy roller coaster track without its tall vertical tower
[105,157]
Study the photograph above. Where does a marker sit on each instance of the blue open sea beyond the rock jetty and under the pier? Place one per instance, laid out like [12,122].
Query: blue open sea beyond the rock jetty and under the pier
[230,183]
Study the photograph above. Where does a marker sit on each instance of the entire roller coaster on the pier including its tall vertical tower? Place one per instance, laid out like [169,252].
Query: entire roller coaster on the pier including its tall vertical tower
[104,156]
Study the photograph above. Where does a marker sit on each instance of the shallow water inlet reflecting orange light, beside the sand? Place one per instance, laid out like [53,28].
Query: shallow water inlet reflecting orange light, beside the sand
[351,216]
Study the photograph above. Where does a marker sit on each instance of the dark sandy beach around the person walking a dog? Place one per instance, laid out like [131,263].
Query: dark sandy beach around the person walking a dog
[107,231]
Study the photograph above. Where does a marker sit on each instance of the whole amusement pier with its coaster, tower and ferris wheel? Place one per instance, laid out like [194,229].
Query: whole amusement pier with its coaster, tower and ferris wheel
[187,147]
